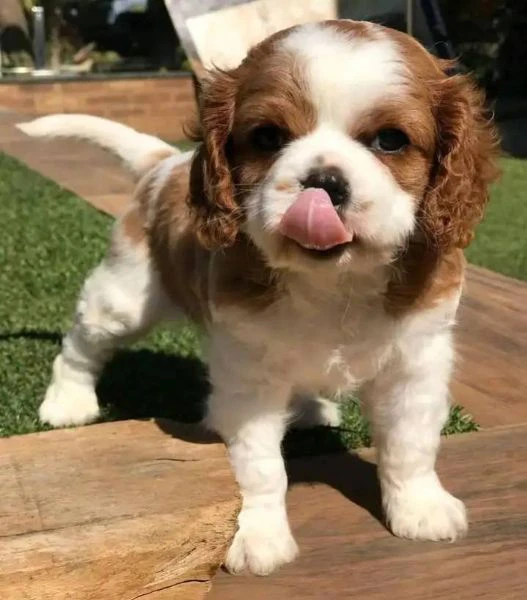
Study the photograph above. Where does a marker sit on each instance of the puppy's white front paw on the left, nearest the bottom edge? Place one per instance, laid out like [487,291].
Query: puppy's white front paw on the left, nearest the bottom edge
[262,543]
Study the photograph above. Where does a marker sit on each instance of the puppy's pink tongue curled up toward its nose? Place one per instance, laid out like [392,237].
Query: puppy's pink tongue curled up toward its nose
[313,222]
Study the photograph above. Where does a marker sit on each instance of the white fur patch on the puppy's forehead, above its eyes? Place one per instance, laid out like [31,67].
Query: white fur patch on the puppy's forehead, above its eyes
[347,73]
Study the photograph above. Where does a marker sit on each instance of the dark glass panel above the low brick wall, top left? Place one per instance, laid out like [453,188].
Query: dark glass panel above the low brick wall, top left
[73,37]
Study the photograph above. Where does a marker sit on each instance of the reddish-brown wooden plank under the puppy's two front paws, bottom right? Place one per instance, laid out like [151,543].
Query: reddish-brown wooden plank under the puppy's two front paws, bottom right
[345,551]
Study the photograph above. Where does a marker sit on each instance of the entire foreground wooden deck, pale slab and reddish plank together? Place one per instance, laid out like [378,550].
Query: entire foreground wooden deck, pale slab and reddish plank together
[135,509]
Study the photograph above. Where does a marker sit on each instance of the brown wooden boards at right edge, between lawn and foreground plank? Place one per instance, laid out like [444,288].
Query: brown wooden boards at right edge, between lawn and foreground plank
[491,376]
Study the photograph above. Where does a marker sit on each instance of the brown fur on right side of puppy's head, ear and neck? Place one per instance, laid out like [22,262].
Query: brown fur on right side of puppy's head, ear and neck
[450,176]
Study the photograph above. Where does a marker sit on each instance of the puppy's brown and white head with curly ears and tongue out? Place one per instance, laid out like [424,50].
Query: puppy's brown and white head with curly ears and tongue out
[335,144]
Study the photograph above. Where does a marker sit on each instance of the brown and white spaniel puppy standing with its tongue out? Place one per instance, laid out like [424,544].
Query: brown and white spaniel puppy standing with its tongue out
[317,235]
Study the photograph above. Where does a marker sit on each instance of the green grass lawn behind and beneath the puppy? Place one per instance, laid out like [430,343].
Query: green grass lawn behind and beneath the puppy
[50,239]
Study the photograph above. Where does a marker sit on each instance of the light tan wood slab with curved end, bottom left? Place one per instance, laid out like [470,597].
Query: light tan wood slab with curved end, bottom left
[113,511]
